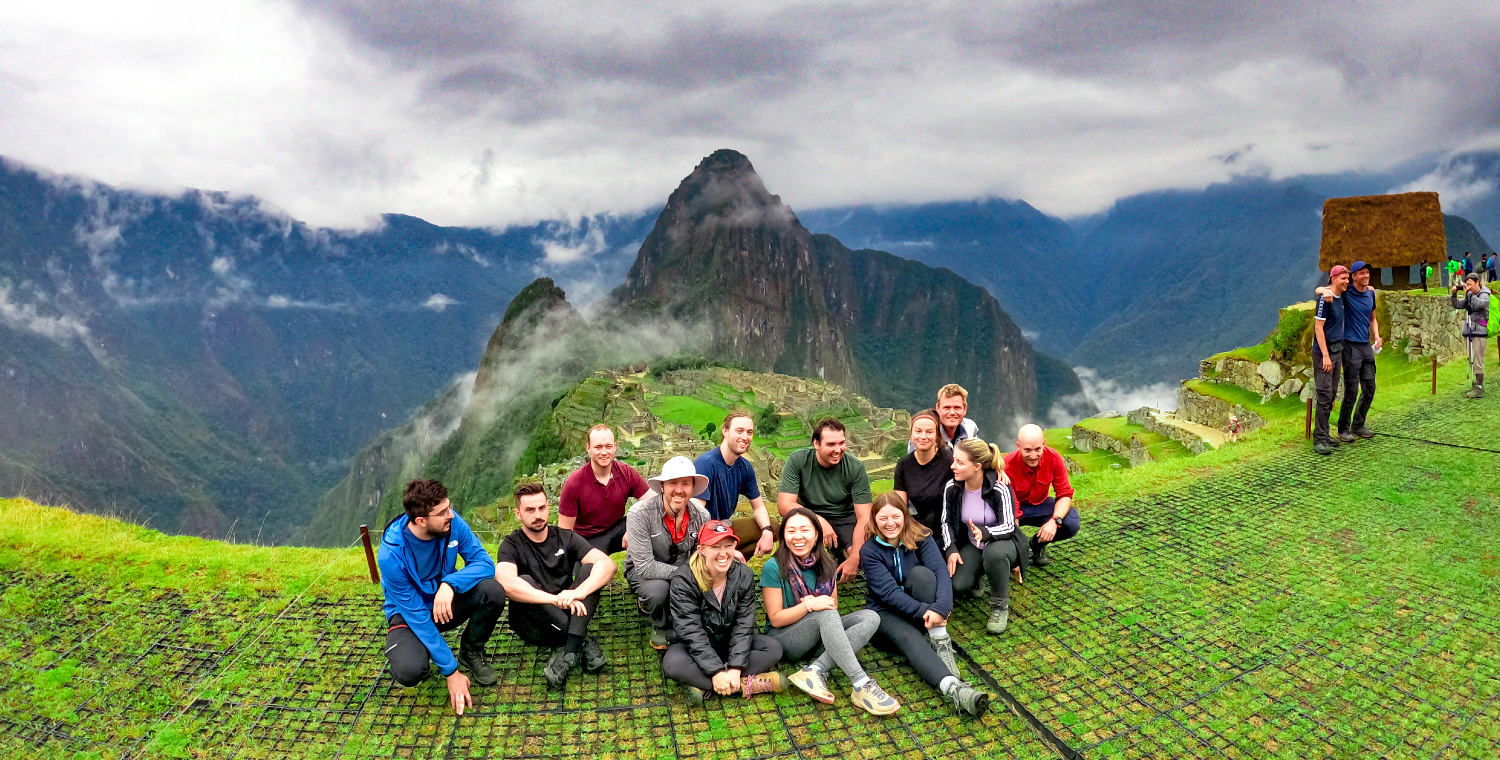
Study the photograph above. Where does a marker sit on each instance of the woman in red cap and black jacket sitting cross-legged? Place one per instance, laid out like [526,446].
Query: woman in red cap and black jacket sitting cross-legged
[715,647]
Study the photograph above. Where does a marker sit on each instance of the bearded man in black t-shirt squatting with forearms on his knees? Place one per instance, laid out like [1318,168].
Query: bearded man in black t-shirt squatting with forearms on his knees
[553,579]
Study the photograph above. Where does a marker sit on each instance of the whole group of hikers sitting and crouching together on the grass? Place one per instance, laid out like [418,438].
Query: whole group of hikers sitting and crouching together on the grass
[950,527]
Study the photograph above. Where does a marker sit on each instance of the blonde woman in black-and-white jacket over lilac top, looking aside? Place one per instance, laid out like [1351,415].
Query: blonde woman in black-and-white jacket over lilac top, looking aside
[980,528]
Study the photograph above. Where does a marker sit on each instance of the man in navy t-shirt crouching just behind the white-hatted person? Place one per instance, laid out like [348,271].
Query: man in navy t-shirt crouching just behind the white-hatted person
[733,476]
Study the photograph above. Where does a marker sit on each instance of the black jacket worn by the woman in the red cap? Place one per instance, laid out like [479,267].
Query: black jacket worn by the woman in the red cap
[718,636]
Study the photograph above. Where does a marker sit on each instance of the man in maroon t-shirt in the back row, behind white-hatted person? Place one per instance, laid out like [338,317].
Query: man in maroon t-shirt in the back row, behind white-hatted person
[593,500]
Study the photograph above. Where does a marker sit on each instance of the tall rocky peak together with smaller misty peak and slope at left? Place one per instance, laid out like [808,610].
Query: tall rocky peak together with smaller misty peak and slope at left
[728,275]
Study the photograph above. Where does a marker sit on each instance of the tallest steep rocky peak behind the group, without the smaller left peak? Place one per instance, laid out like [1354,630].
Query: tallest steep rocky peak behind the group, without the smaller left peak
[731,257]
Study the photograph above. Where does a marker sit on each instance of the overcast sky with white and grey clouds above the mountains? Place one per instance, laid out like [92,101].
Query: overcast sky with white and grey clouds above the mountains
[493,113]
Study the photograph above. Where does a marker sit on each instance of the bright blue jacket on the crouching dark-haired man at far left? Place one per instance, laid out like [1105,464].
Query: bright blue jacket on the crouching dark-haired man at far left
[410,594]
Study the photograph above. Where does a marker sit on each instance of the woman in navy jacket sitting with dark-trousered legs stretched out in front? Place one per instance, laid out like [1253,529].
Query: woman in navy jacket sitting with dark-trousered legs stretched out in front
[908,587]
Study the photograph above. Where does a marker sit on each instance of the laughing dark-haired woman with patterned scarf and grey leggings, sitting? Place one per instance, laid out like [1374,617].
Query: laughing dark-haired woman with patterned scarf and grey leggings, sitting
[802,608]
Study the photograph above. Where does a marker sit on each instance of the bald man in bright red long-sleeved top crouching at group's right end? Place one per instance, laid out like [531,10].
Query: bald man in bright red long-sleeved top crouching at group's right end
[1040,479]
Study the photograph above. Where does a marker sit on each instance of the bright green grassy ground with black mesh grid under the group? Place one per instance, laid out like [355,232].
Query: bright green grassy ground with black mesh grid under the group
[1255,602]
